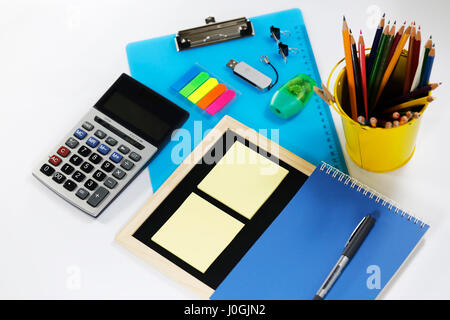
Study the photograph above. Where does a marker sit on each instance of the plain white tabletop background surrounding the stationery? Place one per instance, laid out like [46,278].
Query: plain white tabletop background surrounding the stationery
[56,59]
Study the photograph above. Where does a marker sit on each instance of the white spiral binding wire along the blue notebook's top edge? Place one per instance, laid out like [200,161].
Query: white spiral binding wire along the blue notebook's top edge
[373,194]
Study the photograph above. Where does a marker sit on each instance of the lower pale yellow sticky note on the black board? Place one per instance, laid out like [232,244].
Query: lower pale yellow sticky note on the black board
[197,232]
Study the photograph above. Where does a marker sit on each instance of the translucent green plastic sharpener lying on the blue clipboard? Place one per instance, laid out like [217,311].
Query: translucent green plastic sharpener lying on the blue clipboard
[292,97]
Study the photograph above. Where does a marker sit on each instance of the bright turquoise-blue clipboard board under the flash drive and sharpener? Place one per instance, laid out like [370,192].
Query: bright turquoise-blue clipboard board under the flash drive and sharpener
[310,134]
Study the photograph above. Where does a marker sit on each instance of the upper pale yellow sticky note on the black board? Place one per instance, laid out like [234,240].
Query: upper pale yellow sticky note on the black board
[243,180]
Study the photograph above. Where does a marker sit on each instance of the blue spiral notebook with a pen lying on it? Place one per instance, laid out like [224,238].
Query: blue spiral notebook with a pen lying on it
[298,250]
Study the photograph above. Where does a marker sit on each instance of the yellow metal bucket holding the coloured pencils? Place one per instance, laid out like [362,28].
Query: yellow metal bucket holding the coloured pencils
[376,149]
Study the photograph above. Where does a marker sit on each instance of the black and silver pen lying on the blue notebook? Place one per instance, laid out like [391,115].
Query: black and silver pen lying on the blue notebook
[354,242]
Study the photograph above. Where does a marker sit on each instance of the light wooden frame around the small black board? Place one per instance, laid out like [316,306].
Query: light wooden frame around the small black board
[125,236]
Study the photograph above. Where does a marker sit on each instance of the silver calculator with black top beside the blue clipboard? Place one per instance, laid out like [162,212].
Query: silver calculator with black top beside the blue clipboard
[110,145]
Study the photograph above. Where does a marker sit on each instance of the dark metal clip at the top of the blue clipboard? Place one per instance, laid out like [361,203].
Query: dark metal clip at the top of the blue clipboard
[213,33]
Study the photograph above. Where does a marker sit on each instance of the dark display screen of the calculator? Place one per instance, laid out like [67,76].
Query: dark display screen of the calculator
[136,115]
